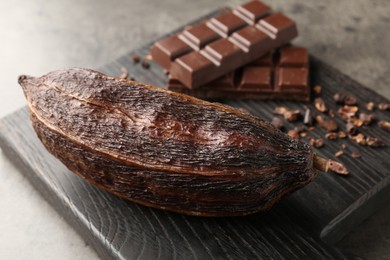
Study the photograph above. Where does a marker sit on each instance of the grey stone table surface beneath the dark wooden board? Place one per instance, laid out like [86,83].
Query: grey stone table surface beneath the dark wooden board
[41,35]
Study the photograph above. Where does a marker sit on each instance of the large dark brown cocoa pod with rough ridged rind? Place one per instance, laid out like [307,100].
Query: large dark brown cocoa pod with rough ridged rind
[163,149]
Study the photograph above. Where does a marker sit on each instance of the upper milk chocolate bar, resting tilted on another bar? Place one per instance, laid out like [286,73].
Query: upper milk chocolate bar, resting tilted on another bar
[208,50]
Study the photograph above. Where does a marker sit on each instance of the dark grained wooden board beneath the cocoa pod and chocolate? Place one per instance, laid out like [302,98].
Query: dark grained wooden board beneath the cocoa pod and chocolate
[298,227]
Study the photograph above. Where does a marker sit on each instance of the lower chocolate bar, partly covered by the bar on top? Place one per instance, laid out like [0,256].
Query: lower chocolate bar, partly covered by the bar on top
[282,75]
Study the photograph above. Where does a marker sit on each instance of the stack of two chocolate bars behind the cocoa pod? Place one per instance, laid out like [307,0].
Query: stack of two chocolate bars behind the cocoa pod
[238,54]
